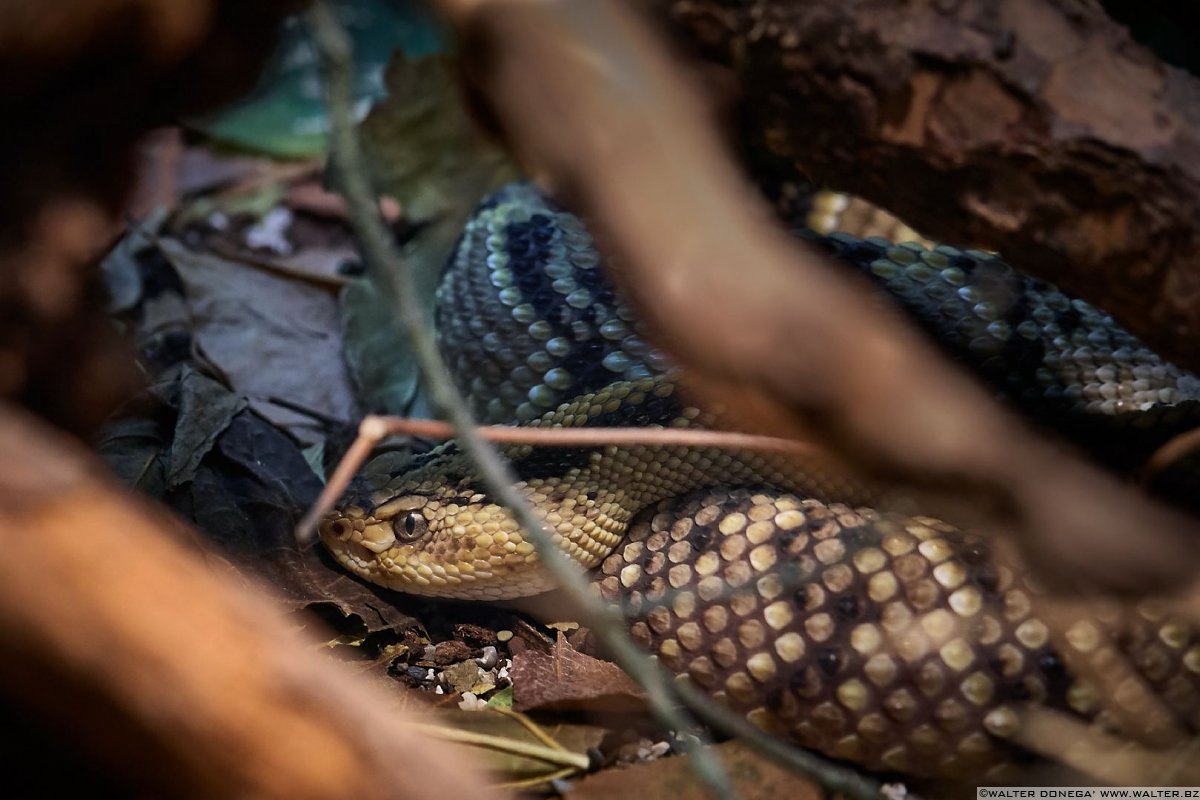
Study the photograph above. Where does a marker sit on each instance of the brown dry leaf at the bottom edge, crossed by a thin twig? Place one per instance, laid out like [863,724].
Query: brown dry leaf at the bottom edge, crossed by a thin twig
[669,779]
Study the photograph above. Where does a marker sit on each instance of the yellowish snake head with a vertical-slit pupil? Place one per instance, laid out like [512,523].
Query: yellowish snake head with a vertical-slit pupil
[435,540]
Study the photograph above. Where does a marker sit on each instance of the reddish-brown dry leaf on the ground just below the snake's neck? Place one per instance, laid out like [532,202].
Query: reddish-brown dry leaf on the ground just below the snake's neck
[569,681]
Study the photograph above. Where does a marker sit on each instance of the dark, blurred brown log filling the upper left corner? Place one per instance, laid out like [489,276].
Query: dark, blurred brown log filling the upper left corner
[80,83]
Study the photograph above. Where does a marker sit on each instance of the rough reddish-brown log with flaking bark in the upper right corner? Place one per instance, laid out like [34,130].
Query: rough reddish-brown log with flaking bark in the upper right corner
[1034,128]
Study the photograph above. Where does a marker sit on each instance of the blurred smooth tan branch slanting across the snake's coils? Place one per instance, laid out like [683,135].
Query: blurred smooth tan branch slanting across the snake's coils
[593,106]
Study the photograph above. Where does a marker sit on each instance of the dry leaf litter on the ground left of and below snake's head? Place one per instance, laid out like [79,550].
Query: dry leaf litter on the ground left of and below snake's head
[263,345]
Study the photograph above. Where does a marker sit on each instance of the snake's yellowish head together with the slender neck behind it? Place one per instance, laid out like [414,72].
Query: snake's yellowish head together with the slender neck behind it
[435,531]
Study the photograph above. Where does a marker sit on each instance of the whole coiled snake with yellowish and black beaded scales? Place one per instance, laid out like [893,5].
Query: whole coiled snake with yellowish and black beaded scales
[901,643]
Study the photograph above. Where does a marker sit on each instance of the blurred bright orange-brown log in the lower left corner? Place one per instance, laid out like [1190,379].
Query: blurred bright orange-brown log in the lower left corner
[188,684]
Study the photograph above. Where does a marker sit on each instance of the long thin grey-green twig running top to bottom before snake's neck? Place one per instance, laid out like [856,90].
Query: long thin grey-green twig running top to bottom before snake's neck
[399,285]
